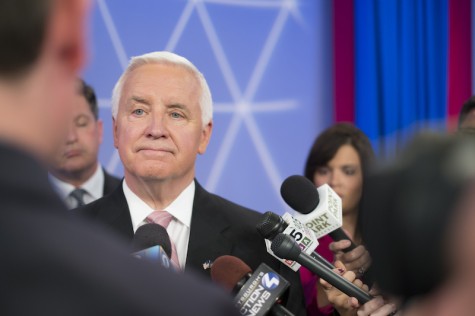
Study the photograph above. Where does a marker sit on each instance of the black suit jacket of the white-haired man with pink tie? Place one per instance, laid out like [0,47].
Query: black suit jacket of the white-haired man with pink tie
[218,227]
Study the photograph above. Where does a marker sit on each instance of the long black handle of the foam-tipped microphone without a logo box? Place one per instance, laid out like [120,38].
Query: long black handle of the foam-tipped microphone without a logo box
[334,279]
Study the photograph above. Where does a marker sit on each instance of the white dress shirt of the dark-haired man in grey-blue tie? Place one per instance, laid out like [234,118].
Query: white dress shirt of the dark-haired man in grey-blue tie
[94,188]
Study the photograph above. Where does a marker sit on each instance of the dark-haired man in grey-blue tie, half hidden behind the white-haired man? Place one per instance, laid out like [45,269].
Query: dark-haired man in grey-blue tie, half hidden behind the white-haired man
[75,172]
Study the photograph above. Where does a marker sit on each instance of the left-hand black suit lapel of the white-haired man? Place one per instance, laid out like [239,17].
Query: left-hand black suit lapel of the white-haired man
[114,211]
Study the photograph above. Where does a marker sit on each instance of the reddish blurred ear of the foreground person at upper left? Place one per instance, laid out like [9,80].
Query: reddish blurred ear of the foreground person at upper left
[66,32]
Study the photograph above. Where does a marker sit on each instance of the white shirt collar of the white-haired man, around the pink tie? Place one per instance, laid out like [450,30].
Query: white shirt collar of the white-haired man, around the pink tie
[181,208]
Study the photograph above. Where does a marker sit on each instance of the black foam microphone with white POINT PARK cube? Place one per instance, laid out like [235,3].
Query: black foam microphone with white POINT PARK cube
[320,209]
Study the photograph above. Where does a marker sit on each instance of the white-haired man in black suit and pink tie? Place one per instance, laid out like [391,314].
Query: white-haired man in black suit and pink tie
[162,119]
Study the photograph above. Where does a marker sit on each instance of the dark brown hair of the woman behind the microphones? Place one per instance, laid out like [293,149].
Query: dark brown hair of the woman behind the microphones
[329,141]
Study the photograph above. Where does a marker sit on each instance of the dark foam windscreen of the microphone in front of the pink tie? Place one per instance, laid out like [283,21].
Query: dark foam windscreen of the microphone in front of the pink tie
[151,235]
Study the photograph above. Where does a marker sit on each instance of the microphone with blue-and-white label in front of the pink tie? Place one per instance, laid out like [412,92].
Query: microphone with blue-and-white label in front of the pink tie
[151,242]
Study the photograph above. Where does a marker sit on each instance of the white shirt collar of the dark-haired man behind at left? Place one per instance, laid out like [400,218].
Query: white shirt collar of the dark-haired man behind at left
[94,185]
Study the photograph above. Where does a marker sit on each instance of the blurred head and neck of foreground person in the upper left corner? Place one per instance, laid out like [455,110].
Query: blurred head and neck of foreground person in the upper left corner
[43,48]
